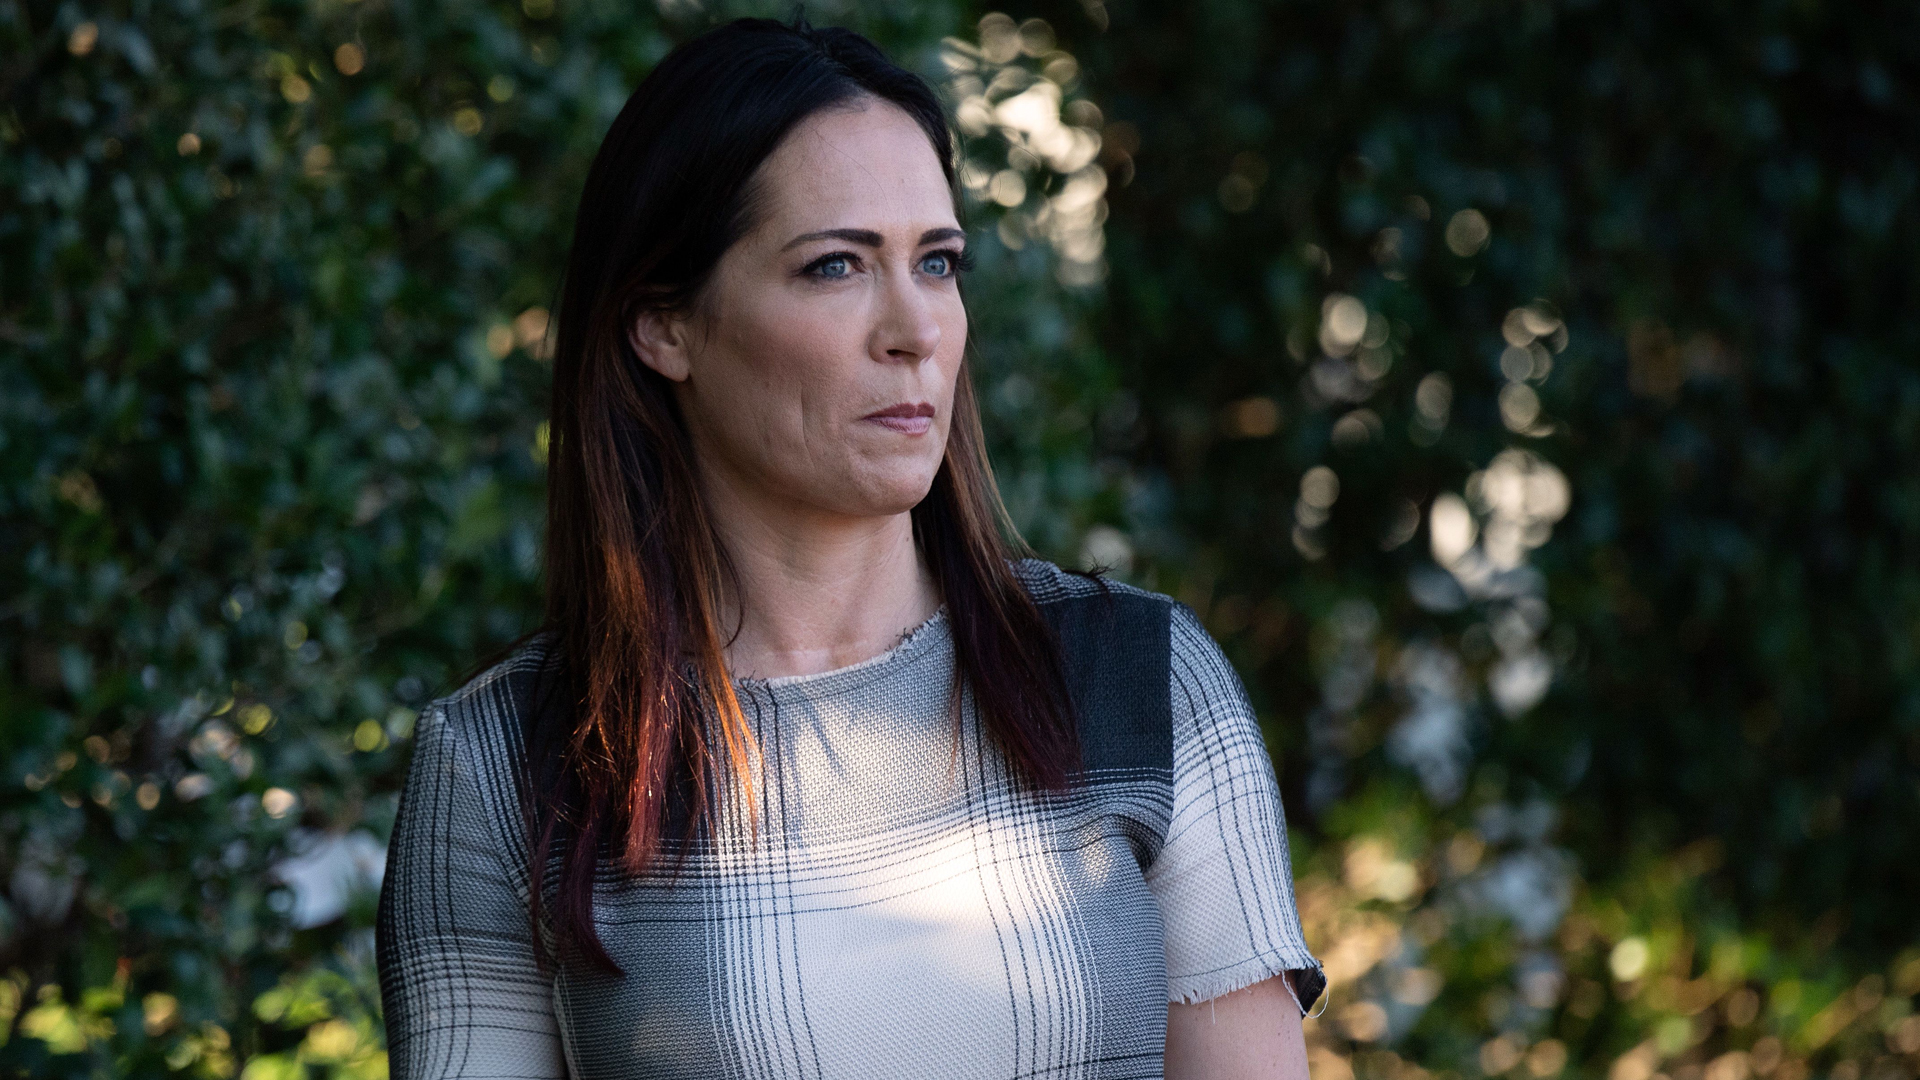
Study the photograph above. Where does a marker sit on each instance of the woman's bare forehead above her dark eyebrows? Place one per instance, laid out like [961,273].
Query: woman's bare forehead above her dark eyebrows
[855,168]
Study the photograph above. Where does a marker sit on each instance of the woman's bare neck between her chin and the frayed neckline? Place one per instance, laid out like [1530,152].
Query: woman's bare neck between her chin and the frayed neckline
[817,591]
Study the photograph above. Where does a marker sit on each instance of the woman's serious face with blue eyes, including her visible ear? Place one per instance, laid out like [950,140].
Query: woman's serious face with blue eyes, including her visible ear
[819,372]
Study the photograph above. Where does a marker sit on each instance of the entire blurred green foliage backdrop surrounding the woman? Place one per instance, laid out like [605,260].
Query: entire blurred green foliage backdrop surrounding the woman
[1522,393]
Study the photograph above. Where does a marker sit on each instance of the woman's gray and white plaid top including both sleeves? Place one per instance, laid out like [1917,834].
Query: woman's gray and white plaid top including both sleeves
[901,912]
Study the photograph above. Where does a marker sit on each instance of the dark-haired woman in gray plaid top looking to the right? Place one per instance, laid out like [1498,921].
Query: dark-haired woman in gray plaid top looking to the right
[813,775]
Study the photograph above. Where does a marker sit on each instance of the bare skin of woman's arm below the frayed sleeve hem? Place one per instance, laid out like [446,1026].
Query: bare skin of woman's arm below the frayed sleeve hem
[1249,1035]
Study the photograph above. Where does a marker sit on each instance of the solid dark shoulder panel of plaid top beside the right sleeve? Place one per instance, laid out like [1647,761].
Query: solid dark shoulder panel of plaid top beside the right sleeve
[1115,641]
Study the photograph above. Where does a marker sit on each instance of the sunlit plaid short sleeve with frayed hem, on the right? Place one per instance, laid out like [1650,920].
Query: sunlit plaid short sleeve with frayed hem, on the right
[1224,877]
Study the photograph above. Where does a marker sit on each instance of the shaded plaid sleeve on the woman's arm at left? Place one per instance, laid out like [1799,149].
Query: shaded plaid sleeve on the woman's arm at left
[458,977]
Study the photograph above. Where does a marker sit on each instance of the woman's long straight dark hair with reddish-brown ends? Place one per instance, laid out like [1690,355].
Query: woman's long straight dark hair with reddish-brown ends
[642,727]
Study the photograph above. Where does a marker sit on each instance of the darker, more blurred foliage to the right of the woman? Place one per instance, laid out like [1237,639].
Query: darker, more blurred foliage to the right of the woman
[1620,291]
